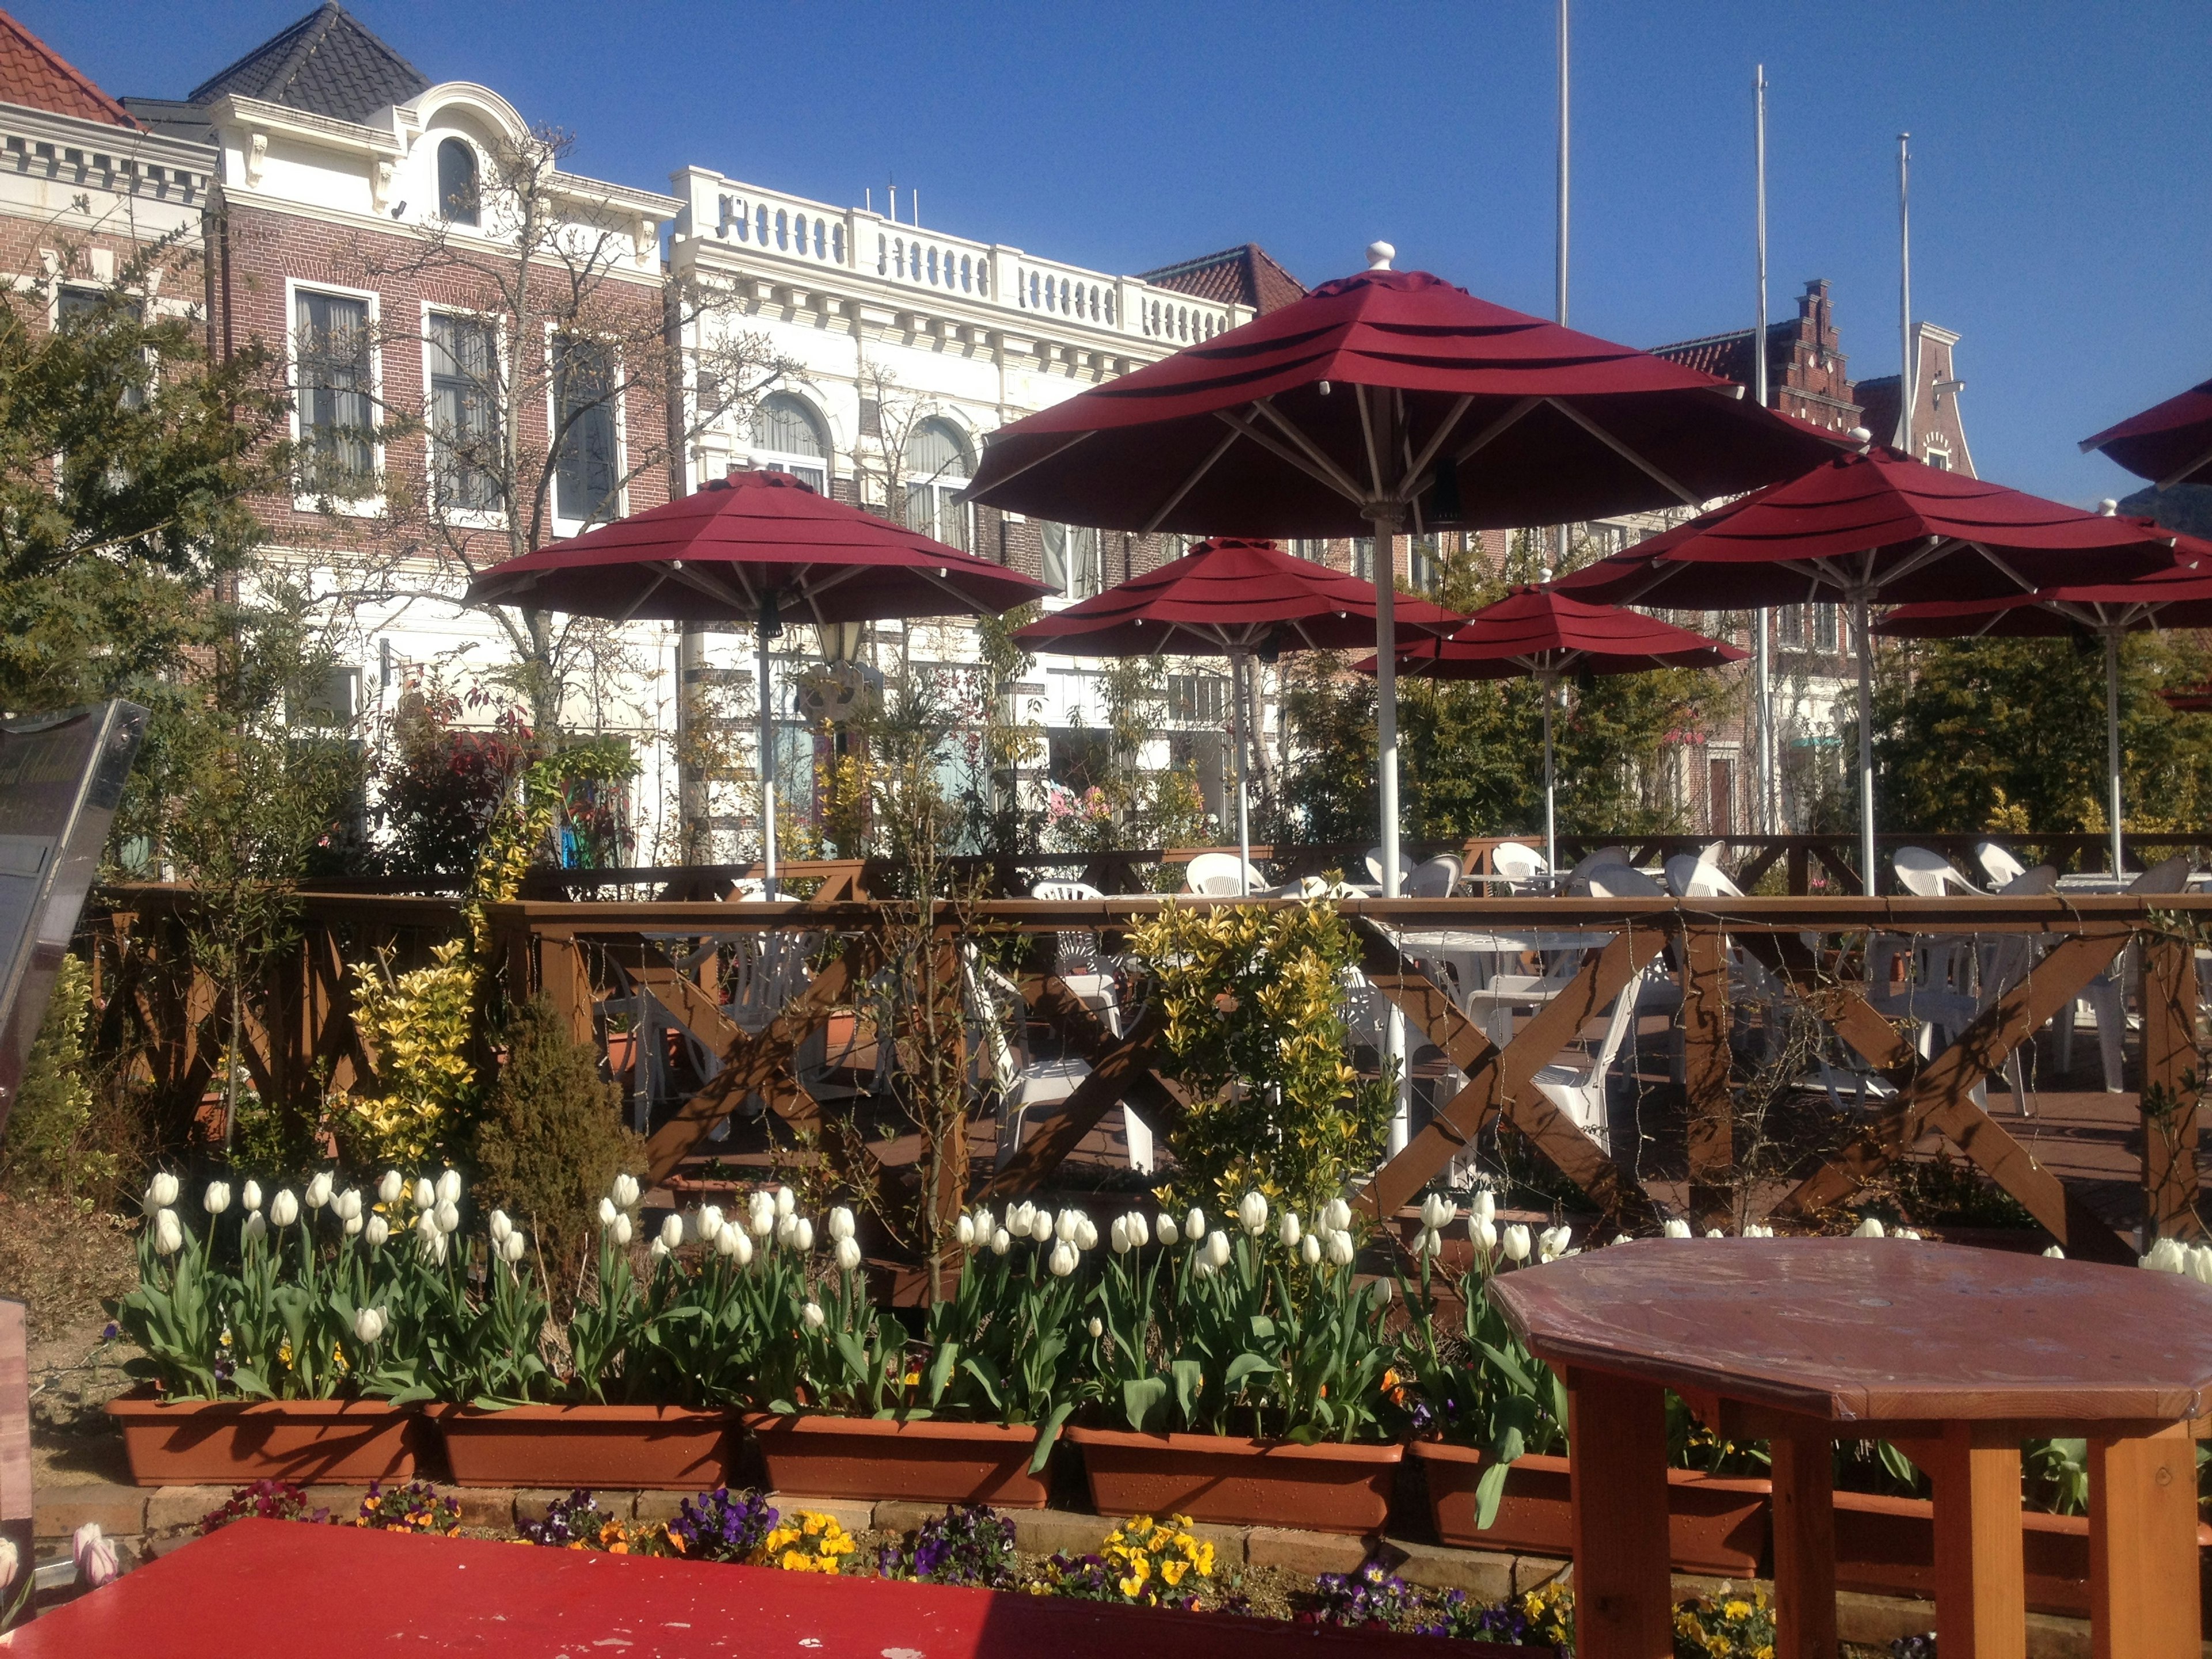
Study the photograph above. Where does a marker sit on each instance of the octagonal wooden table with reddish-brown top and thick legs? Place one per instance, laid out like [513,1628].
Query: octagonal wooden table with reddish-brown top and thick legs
[1952,1355]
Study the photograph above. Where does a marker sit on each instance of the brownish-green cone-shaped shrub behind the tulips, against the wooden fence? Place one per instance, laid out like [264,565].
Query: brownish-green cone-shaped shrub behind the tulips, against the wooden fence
[552,1140]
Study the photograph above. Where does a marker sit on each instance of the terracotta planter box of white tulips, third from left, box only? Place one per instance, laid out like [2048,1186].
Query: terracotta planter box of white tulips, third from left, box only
[928,1461]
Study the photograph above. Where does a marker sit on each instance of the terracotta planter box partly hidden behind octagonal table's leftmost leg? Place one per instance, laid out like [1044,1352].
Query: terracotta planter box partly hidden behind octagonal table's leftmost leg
[1715,1525]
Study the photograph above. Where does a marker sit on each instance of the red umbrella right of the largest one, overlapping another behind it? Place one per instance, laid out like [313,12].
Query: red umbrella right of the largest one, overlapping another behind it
[1872,528]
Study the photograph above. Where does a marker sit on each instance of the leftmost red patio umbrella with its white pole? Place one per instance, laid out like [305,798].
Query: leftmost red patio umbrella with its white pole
[749,550]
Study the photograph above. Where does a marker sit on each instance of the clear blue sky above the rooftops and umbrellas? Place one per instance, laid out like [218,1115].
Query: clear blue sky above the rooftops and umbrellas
[2060,158]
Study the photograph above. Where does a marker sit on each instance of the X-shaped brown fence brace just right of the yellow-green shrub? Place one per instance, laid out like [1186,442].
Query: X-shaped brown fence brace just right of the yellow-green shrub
[1501,1081]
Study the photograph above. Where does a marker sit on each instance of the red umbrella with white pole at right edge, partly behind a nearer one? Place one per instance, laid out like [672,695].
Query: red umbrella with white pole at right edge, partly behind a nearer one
[2173,598]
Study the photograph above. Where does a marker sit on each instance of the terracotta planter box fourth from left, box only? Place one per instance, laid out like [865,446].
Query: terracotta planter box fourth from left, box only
[1240,1483]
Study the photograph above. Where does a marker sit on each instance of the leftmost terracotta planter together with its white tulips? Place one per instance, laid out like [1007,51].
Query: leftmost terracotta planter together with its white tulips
[258,1359]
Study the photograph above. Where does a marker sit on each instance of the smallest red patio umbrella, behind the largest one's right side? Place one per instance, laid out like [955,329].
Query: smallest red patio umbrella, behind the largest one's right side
[1545,634]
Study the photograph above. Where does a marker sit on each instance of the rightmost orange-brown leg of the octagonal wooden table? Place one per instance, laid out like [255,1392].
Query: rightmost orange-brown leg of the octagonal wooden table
[2142,1547]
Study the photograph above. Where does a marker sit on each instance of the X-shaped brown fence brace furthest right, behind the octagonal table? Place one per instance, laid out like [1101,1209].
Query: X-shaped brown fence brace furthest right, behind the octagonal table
[1941,1098]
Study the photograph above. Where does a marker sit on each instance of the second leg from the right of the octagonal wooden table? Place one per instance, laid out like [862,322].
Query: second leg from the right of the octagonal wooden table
[1981,1576]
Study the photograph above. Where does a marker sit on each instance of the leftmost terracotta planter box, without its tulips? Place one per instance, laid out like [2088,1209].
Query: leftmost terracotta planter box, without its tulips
[229,1443]
